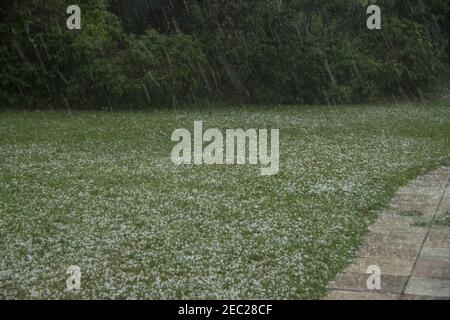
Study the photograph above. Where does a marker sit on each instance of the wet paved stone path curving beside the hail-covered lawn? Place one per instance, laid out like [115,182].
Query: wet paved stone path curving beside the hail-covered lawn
[410,243]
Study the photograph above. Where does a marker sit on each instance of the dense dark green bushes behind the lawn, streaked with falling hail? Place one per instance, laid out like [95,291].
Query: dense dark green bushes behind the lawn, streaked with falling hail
[158,52]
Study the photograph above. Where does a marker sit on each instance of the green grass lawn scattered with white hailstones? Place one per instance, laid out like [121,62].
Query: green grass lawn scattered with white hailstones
[98,190]
